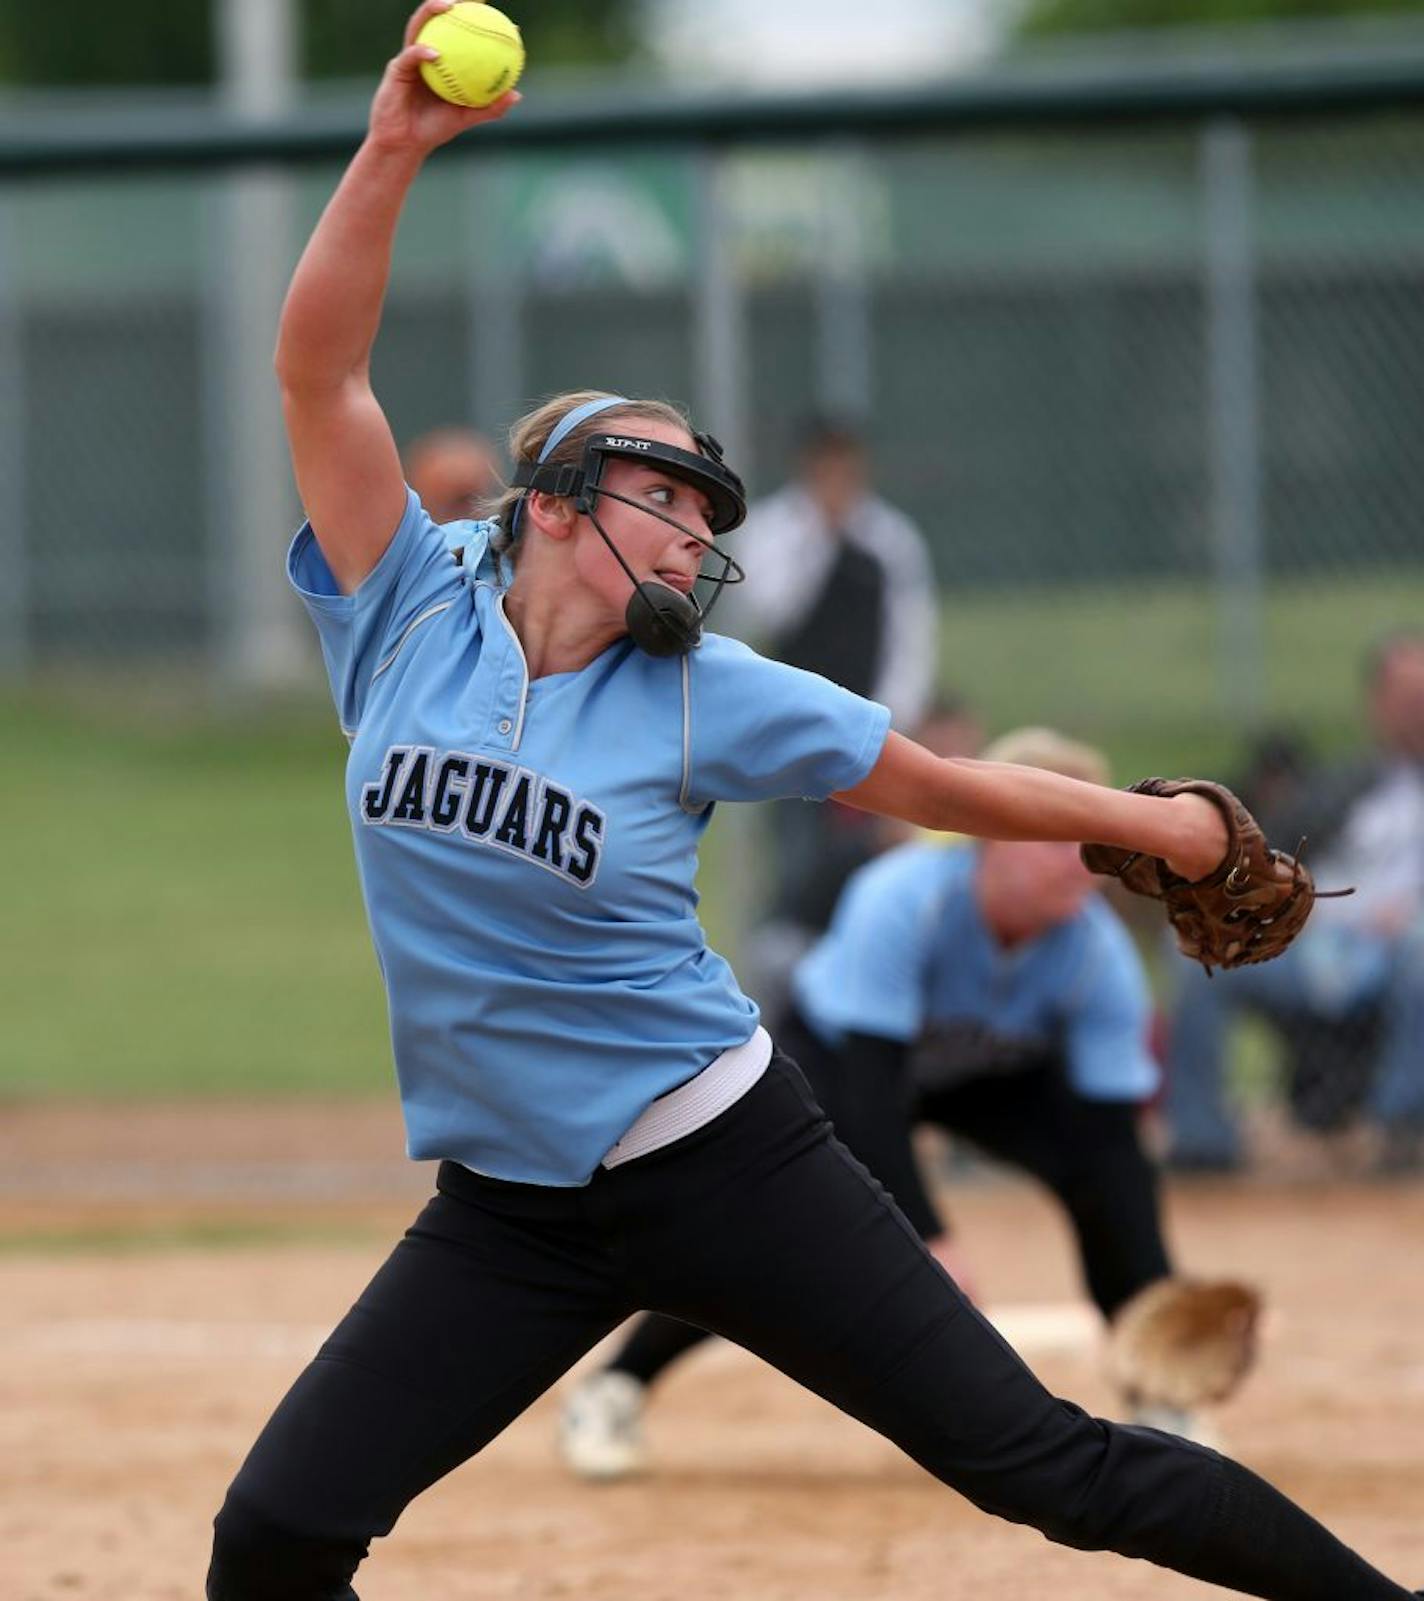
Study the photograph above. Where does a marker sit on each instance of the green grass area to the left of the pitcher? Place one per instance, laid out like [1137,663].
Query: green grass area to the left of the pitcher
[182,913]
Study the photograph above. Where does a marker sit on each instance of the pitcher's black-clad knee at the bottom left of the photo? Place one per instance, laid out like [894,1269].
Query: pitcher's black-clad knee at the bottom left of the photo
[259,1560]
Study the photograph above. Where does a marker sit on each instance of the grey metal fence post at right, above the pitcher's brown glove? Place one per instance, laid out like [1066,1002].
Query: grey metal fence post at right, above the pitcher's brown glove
[1234,422]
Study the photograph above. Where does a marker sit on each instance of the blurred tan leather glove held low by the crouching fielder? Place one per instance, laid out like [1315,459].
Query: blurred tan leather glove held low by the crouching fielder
[1185,1342]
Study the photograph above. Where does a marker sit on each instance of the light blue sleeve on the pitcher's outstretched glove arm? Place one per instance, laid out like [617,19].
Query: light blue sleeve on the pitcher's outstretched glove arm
[760,731]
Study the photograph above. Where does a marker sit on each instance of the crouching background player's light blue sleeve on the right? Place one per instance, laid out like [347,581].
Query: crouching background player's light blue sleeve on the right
[1111,1016]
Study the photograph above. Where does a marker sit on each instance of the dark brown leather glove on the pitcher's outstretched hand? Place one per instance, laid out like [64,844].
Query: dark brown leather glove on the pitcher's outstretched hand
[1247,912]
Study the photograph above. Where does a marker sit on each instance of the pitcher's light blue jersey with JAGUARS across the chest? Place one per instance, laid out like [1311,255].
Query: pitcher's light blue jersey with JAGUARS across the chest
[528,849]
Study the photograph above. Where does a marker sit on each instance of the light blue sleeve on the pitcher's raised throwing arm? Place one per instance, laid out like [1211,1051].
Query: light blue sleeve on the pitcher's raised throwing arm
[360,632]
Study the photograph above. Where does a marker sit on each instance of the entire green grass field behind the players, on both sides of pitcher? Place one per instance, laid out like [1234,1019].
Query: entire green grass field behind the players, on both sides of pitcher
[182,913]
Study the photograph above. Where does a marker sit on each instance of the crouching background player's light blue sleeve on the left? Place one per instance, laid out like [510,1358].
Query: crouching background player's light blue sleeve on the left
[866,976]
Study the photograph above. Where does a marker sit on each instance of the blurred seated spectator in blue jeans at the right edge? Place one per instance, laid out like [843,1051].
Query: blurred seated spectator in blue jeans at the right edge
[1358,973]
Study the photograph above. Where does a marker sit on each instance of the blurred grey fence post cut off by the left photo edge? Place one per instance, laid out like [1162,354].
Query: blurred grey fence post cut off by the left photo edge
[15,588]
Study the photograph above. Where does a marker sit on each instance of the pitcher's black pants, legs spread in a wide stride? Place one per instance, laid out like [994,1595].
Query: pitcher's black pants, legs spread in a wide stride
[763,1229]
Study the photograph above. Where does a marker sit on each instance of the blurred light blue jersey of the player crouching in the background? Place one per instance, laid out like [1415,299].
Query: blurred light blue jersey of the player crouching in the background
[909,953]
